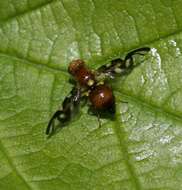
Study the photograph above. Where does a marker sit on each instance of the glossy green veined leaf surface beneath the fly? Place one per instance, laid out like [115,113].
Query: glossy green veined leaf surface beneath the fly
[141,149]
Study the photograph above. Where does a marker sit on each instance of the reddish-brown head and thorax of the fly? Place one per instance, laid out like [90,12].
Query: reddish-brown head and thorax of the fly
[81,73]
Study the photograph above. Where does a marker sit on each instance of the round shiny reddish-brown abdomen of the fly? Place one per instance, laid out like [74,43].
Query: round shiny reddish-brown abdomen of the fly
[102,97]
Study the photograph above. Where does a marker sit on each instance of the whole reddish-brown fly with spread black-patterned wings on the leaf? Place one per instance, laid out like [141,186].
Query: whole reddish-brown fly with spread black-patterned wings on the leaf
[93,84]
